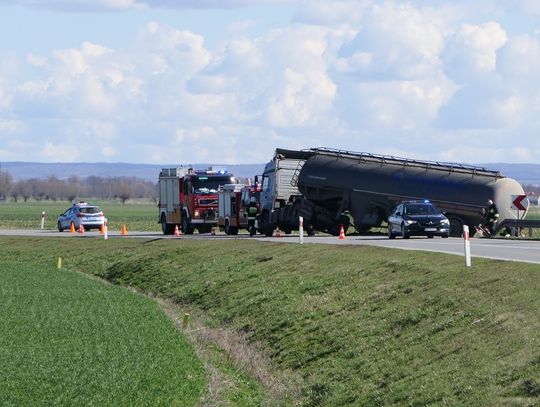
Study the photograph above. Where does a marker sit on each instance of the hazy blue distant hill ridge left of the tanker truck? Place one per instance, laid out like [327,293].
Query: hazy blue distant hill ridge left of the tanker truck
[148,172]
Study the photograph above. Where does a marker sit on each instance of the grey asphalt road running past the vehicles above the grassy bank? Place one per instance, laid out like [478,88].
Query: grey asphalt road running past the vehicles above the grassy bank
[501,249]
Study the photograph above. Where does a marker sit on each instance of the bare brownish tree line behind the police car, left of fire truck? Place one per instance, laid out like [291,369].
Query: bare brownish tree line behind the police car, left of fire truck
[54,189]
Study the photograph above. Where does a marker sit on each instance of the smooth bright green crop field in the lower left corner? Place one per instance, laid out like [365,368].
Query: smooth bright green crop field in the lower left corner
[68,340]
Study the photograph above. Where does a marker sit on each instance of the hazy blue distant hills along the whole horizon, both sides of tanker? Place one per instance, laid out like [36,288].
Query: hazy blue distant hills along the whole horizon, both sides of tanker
[524,173]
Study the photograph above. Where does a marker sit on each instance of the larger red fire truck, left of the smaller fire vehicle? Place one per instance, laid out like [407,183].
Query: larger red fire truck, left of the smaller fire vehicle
[188,198]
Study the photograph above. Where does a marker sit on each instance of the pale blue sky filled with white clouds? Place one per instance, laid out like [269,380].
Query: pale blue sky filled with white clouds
[228,81]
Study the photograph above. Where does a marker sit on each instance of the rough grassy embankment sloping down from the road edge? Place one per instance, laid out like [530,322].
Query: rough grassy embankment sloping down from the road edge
[344,325]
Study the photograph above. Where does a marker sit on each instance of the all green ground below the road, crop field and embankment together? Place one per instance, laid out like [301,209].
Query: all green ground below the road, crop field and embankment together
[329,326]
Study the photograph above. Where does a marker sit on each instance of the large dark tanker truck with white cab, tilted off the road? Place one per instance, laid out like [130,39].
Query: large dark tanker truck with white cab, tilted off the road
[330,188]
